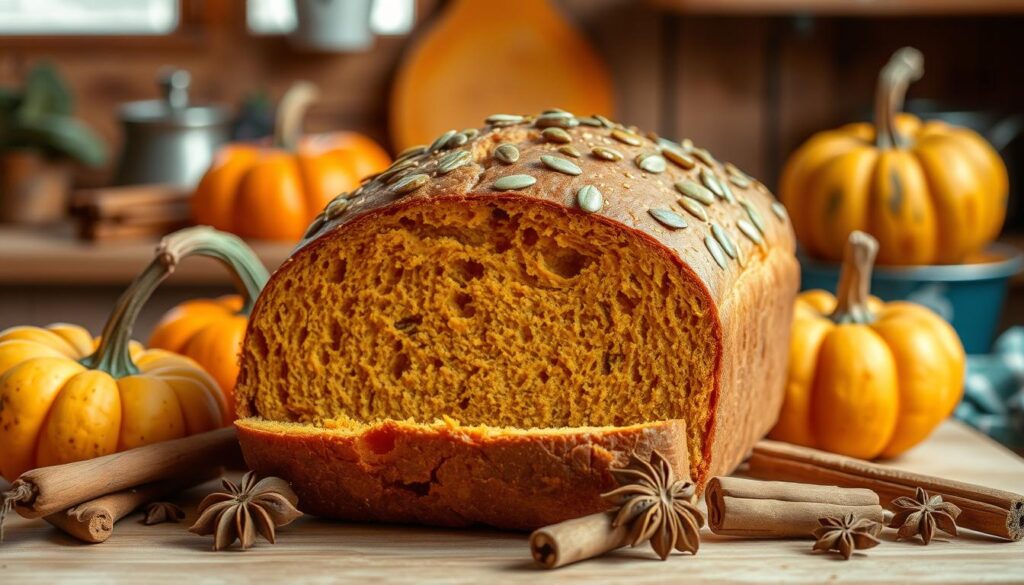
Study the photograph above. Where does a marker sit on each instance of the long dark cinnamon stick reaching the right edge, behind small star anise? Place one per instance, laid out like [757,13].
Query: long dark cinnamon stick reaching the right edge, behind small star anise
[987,511]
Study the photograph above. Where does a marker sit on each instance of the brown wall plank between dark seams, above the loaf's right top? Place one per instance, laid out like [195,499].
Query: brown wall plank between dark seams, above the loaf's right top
[719,89]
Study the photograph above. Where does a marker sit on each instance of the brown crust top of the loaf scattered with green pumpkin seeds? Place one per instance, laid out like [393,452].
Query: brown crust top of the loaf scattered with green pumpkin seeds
[712,215]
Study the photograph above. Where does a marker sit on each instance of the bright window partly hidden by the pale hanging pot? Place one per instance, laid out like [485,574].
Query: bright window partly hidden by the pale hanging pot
[278,17]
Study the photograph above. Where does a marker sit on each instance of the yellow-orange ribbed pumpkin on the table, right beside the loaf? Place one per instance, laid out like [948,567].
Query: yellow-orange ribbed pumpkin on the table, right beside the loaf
[866,379]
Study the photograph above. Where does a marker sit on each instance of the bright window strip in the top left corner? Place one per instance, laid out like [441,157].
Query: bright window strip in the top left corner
[82,18]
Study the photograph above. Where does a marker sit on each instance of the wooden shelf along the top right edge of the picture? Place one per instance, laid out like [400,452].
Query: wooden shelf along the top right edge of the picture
[842,8]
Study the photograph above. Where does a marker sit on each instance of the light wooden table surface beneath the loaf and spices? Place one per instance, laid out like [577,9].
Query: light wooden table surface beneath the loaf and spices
[313,551]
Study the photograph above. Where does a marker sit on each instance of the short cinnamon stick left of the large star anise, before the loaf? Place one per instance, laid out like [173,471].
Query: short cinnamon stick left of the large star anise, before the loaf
[577,539]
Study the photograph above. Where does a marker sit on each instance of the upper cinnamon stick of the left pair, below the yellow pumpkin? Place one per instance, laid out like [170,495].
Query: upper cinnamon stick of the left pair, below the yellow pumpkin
[48,490]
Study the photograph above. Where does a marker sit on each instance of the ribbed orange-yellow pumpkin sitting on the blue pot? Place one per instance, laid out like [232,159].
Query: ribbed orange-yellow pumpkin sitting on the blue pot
[929,192]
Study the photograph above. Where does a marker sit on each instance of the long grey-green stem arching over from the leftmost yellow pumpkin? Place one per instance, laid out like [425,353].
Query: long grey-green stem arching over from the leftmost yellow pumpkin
[112,356]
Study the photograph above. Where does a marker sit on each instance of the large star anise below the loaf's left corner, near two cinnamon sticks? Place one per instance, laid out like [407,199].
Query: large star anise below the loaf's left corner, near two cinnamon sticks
[241,512]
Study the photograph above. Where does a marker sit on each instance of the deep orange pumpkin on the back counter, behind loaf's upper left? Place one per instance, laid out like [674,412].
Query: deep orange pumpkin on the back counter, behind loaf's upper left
[275,192]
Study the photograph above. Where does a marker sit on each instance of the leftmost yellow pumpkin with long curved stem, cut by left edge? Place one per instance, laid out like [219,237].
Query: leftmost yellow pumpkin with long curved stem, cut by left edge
[66,398]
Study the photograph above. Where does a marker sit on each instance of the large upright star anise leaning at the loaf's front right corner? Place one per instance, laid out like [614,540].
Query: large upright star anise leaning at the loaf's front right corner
[656,507]
